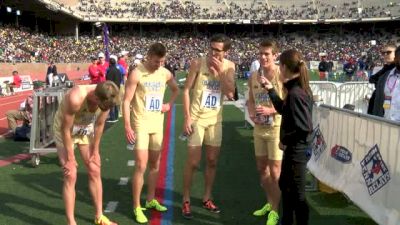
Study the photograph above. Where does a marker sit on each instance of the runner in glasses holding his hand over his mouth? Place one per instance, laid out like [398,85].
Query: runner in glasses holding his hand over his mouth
[210,78]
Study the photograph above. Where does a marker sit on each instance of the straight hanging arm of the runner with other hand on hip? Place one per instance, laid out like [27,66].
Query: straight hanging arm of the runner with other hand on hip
[130,88]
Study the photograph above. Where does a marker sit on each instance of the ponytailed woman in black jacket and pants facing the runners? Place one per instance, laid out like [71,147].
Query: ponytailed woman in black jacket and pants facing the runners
[295,134]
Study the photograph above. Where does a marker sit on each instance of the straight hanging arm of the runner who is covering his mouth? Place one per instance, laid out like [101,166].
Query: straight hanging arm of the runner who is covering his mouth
[190,79]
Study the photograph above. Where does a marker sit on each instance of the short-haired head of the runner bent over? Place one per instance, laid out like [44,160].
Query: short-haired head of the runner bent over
[108,94]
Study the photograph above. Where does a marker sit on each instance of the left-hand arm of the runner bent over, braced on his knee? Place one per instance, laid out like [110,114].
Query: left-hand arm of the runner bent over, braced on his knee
[73,102]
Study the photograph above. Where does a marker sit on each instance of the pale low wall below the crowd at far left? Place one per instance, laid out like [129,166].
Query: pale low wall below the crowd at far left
[37,71]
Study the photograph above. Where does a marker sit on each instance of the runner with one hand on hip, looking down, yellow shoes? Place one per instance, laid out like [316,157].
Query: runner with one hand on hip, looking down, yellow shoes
[143,111]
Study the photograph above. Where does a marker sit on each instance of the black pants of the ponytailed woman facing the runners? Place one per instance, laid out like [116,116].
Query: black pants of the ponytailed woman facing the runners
[292,183]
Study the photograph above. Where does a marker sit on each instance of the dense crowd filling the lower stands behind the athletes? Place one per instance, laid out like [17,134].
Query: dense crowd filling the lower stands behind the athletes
[23,45]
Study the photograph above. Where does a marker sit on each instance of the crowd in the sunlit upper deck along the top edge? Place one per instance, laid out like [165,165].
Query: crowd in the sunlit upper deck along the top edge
[253,10]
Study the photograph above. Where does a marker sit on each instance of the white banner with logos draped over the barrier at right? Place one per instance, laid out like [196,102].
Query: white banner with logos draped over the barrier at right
[359,155]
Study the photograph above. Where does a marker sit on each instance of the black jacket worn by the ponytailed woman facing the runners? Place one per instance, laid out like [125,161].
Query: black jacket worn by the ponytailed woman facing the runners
[296,111]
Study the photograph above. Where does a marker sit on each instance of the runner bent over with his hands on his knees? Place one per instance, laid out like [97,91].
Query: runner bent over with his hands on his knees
[80,120]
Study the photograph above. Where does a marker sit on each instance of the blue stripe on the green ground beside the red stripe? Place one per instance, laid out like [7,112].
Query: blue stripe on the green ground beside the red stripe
[169,180]
